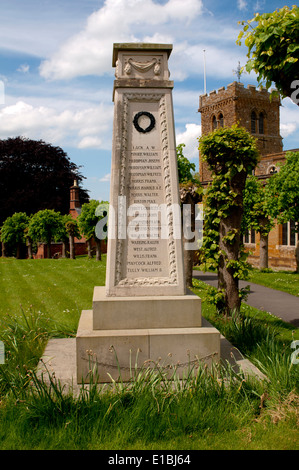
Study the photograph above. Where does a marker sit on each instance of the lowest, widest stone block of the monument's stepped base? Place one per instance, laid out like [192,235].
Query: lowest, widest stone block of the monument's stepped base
[117,352]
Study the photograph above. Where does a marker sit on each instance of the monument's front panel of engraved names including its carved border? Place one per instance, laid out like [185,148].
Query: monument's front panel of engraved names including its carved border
[145,258]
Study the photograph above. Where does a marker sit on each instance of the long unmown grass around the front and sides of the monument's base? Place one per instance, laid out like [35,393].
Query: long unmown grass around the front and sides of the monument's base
[36,412]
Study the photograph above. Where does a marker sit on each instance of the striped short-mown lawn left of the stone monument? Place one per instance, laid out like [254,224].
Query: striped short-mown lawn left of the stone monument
[59,288]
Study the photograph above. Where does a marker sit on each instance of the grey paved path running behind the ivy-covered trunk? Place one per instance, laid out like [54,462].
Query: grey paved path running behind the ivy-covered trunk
[280,304]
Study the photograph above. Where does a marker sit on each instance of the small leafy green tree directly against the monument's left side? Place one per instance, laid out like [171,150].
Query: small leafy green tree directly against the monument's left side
[87,222]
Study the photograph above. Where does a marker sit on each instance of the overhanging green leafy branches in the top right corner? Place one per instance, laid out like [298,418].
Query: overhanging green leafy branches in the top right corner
[273,49]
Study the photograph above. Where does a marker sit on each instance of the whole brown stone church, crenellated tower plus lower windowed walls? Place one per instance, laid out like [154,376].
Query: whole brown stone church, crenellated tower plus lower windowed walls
[252,109]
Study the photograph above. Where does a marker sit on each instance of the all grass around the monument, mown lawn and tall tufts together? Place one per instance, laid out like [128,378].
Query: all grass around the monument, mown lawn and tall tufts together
[215,409]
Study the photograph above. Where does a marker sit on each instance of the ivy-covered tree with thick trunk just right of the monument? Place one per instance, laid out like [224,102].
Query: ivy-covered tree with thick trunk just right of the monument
[231,154]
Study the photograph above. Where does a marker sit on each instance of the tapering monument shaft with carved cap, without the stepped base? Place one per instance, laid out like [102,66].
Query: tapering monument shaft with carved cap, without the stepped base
[144,176]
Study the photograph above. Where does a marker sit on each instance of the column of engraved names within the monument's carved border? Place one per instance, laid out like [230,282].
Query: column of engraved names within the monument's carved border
[147,246]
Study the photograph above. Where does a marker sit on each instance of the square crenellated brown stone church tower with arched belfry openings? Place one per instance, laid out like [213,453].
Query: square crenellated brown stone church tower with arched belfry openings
[250,108]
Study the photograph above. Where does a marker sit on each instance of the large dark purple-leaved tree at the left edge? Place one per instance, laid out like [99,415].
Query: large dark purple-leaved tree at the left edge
[35,175]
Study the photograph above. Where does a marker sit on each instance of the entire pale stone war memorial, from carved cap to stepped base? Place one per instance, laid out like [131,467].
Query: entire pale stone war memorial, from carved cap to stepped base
[144,310]
